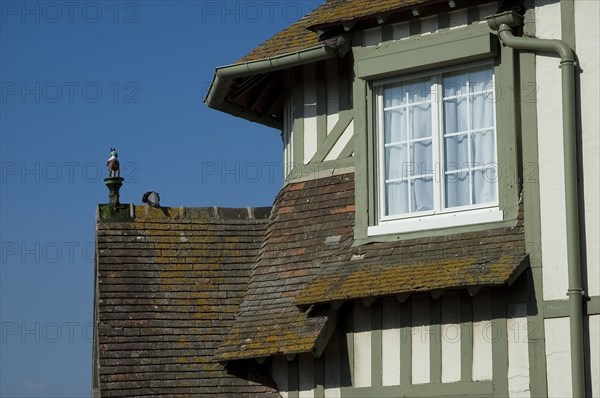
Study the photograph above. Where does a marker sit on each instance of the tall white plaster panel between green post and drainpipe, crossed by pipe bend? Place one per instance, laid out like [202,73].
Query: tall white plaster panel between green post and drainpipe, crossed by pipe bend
[551,158]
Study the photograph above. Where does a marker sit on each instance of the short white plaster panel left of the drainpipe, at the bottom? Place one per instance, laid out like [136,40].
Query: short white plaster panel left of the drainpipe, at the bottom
[558,357]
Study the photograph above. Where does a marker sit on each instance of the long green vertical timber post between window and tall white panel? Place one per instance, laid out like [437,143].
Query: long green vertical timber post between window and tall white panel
[533,239]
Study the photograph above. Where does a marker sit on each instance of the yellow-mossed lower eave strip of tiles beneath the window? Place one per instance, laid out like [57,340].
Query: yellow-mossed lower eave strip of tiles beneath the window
[370,281]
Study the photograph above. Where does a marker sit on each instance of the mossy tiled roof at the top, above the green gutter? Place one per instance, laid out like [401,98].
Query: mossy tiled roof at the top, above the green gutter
[298,37]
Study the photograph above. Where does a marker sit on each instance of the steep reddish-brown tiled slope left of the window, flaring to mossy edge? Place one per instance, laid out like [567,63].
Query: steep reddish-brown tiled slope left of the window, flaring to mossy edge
[311,223]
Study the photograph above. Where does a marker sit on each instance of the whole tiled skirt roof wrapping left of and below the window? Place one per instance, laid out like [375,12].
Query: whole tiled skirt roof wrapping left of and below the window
[308,257]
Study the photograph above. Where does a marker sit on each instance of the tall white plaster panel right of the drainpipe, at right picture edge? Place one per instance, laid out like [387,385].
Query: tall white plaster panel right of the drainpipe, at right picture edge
[587,36]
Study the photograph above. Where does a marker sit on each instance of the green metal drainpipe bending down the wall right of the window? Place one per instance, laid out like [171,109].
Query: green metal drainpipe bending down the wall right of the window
[503,23]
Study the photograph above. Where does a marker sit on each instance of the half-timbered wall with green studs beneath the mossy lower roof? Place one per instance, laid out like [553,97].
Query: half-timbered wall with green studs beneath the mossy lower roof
[416,344]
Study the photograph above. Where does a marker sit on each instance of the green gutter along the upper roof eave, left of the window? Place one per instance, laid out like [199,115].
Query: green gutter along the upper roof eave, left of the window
[224,76]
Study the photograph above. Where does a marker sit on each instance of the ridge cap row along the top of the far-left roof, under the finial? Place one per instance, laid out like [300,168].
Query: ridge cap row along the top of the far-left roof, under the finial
[147,213]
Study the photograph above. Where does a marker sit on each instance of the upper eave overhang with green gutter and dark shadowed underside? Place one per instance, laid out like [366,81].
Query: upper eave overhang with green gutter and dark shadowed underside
[252,90]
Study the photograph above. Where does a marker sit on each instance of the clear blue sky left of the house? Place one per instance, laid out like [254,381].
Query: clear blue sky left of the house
[77,78]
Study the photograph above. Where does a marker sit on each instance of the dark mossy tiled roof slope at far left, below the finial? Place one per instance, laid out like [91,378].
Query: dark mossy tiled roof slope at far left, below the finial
[168,286]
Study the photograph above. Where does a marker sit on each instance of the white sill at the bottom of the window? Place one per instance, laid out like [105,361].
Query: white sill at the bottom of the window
[437,221]
